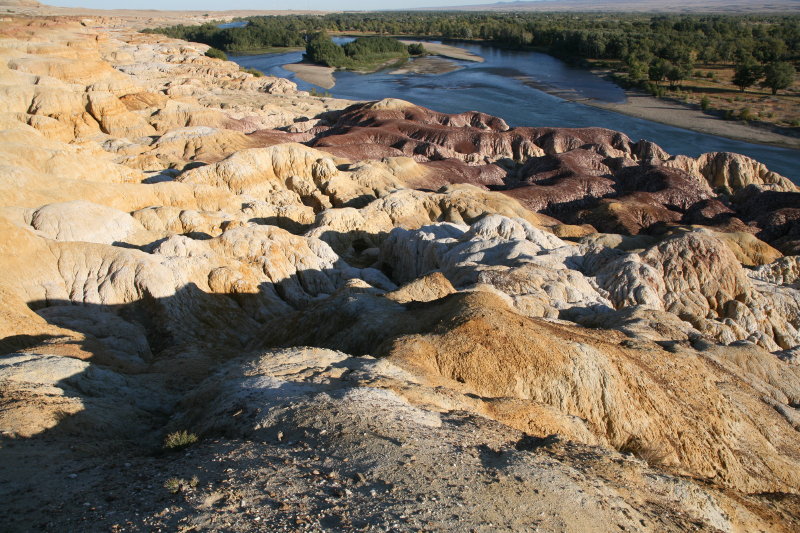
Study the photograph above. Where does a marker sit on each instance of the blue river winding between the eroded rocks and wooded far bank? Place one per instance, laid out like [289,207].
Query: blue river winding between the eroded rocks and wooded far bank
[507,84]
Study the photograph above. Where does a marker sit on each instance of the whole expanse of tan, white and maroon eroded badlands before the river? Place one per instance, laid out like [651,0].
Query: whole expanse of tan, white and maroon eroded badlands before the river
[520,318]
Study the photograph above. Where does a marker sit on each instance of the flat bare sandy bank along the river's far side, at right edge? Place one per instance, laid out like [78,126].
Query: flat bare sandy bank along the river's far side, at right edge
[663,111]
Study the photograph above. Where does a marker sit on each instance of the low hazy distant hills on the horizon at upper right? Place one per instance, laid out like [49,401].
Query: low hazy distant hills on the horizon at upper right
[654,6]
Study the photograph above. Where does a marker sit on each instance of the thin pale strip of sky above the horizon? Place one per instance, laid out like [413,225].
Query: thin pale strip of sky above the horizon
[216,5]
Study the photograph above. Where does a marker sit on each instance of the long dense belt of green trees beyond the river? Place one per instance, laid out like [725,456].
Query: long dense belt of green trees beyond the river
[653,48]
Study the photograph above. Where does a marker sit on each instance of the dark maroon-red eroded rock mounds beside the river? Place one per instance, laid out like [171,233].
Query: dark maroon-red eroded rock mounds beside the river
[583,175]
